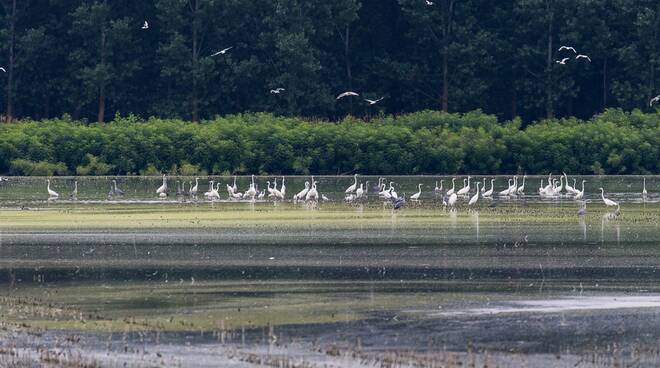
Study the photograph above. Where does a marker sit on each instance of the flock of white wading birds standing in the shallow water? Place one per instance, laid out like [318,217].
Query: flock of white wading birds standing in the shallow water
[472,192]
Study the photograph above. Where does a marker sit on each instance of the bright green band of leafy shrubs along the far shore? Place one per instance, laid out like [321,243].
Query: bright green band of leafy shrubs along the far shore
[426,142]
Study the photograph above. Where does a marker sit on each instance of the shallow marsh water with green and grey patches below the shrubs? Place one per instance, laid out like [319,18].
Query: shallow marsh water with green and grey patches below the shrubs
[140,281]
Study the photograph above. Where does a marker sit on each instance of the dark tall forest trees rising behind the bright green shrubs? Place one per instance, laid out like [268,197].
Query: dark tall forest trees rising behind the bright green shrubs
[95,59]
